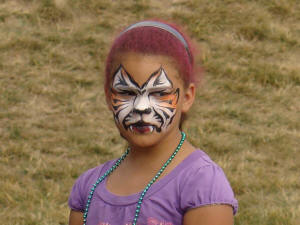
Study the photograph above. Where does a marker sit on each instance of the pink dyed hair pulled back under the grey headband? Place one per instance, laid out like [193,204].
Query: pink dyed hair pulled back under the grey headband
[153,40]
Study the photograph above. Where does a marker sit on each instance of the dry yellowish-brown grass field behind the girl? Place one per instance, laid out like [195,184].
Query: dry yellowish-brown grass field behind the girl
[54,123]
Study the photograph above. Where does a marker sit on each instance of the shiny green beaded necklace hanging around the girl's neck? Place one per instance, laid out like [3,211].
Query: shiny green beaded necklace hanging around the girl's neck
[109,171]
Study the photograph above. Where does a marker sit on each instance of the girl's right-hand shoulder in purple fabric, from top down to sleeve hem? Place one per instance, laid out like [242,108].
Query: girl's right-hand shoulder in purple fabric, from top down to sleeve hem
[203,182]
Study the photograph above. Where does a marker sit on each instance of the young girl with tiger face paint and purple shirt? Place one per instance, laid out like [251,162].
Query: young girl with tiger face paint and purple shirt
[161,179]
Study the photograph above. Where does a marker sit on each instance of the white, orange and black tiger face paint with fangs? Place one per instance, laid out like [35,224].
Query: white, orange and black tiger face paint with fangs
[147,108]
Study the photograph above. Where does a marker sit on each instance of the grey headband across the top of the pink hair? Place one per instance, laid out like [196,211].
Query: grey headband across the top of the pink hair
[162,26]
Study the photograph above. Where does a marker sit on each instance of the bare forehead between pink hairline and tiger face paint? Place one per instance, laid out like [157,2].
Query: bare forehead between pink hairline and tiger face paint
[141,66]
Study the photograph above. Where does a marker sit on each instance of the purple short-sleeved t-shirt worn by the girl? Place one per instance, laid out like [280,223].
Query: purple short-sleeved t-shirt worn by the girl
[197,181]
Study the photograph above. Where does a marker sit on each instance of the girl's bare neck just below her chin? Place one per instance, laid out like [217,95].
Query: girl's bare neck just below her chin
[147,156]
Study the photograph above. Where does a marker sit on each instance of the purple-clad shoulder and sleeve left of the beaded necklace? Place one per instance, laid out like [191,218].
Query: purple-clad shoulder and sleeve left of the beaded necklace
[82,185]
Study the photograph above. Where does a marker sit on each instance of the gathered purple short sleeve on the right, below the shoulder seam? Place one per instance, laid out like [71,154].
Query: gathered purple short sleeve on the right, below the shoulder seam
[207,185]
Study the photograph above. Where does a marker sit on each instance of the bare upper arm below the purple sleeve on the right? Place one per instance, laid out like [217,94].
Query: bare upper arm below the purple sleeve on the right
[209,215]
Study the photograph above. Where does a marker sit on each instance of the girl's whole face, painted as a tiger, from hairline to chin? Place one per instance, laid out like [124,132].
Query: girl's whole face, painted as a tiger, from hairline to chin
[146,97]
